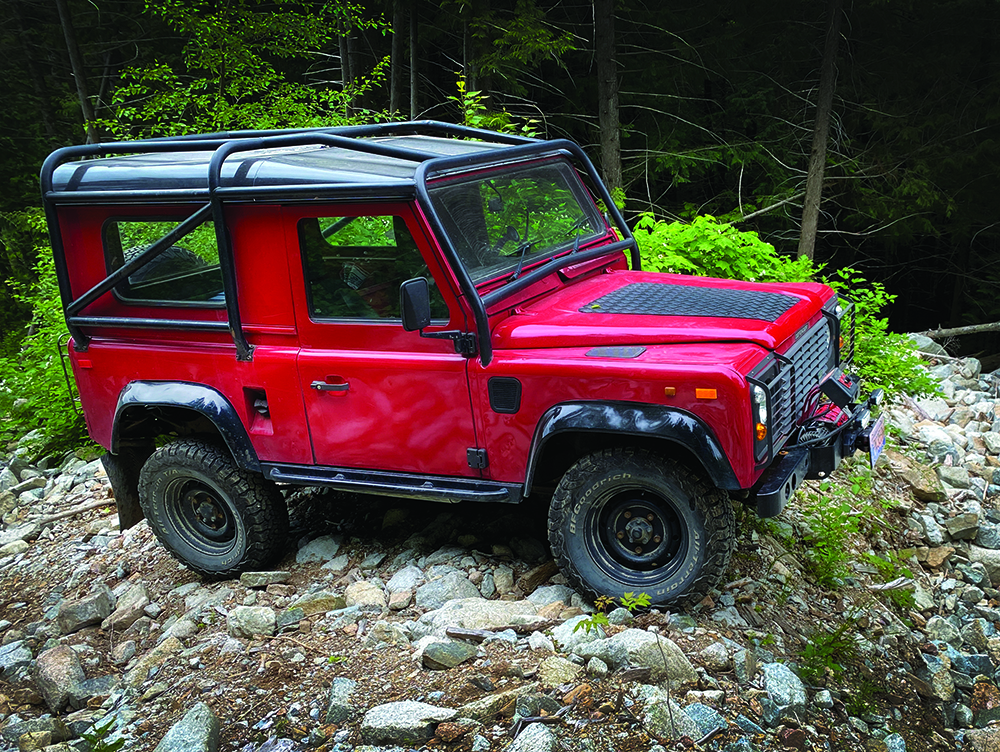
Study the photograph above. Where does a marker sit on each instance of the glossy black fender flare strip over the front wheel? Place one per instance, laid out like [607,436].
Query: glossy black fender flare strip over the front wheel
[634,419]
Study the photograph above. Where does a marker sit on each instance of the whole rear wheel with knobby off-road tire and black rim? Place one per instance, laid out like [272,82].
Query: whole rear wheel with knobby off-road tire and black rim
[215,517]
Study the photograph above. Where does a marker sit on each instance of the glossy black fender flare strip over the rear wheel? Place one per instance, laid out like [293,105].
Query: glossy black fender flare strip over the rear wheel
[197,397]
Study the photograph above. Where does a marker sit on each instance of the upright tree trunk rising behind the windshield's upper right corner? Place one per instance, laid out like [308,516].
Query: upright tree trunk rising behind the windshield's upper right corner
[607,92]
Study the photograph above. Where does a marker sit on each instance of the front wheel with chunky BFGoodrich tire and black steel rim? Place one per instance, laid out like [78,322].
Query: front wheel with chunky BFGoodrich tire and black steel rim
[680,529]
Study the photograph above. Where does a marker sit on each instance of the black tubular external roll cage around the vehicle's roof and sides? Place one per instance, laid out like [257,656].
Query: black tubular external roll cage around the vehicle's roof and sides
[221,146]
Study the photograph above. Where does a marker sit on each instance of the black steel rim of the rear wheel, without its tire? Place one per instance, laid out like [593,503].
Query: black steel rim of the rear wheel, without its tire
[202,515]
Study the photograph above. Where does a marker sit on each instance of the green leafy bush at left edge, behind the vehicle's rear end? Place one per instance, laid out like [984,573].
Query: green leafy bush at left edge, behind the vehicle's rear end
[34,392]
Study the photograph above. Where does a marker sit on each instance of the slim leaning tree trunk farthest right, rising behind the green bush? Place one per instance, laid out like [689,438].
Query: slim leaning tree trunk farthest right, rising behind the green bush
[821,129]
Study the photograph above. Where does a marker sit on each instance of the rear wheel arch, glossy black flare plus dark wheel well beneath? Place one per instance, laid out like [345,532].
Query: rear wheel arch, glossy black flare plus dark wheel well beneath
[147,409]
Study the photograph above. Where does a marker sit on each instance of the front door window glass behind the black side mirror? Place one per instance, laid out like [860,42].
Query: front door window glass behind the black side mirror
[355,265]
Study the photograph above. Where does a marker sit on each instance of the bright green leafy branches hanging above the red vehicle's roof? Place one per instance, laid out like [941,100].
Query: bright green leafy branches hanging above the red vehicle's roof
[234,72]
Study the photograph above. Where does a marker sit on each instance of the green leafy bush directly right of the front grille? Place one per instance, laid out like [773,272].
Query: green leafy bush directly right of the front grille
[883,359]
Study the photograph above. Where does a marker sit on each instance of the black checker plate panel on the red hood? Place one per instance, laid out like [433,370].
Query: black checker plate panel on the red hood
[657,299]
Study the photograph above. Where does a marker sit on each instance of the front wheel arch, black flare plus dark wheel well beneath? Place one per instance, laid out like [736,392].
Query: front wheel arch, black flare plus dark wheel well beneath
[599,425]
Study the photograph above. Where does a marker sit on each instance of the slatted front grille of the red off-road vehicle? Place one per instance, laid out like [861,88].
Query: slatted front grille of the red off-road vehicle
[801,368]
